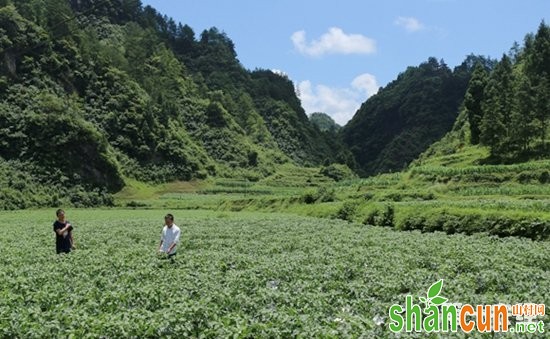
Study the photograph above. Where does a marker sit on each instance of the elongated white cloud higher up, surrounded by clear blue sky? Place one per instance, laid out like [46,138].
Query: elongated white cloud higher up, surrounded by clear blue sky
[335,41]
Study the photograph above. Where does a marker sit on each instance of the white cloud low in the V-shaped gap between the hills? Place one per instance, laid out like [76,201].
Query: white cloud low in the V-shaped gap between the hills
[340,103]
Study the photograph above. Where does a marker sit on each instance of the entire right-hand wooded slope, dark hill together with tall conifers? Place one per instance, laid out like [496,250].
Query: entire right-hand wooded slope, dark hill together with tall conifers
[505,106]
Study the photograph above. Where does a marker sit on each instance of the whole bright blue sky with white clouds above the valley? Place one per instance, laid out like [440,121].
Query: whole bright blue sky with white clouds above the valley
[339,52]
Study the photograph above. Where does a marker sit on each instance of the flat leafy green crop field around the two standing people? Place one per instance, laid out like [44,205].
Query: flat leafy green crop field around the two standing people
[244,275]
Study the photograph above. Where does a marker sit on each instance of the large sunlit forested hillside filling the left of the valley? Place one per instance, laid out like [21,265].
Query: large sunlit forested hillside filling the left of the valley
[92,92]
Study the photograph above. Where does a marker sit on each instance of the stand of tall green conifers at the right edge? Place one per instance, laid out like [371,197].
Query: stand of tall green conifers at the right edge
[508,106]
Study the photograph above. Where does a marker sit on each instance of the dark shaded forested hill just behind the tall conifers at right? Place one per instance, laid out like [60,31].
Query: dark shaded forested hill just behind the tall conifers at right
[394,126]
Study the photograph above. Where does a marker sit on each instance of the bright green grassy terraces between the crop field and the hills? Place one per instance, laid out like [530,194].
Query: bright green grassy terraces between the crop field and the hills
[510,198]
